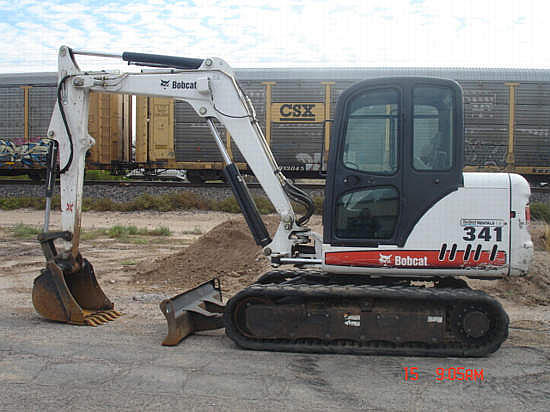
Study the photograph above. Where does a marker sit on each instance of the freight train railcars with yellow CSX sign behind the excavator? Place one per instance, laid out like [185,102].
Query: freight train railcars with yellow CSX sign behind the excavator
[507,120]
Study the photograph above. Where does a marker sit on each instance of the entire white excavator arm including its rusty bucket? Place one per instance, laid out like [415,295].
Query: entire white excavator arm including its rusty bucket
[209,86]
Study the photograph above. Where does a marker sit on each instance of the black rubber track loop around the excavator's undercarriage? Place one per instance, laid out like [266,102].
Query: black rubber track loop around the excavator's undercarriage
[451,297]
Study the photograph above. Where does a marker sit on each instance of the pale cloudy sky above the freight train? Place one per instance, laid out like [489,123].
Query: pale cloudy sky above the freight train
[281,33]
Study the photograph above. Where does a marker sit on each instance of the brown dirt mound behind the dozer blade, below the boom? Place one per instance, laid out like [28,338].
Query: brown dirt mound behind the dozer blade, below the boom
[228,252]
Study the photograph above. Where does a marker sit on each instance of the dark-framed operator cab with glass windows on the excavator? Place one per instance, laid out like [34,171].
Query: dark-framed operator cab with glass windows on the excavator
[397,150]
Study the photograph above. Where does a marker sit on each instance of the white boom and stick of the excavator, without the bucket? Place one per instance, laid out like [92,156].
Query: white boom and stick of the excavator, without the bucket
[209,86]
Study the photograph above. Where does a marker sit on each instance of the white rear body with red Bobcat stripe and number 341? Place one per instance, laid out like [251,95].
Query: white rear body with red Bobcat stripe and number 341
[478,230]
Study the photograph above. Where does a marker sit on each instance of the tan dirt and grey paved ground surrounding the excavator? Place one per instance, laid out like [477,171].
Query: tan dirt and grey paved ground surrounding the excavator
[122,366]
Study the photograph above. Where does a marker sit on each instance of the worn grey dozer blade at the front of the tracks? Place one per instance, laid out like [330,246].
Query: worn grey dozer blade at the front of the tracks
[198,309]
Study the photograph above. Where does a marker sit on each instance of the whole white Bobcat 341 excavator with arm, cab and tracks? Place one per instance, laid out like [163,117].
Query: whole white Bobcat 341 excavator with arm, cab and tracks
[402,223]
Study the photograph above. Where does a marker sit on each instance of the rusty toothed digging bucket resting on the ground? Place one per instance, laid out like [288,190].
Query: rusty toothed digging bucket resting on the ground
[74,297]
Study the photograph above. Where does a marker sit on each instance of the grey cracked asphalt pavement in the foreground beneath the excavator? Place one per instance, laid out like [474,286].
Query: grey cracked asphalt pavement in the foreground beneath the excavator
[122,366]
